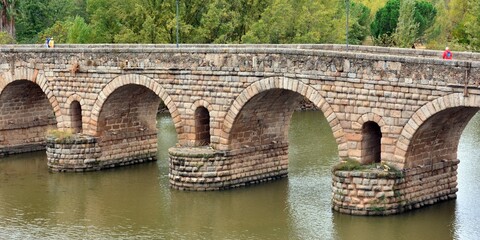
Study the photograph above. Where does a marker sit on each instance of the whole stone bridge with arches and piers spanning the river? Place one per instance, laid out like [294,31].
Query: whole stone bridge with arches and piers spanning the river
[232,105]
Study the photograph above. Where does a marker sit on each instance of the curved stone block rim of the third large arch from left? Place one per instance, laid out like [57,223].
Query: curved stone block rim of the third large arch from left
[288,84]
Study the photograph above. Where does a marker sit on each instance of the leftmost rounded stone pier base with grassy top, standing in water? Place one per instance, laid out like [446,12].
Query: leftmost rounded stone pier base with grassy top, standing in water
[85,153]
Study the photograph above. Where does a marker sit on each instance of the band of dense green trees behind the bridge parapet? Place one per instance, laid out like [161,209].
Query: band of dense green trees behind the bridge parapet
[435,23]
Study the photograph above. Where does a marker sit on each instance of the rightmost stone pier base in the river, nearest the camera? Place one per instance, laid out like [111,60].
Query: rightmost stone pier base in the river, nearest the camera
[375,192]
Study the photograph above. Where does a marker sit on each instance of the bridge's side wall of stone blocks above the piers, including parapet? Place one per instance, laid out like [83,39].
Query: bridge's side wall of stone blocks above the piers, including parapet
[346,86]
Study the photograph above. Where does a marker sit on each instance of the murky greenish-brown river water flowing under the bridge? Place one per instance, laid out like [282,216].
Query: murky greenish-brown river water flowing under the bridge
[135,202]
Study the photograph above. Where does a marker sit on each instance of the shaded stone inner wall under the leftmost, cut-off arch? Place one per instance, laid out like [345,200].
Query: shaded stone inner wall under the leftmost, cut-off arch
[27,115]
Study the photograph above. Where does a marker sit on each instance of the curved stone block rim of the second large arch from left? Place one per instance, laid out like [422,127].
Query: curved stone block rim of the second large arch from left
[136,80]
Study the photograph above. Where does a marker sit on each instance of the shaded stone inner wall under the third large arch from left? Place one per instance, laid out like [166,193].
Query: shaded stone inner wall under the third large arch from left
[259,134]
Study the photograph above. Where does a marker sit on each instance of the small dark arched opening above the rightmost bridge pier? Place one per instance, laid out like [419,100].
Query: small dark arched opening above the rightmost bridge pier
[371,143]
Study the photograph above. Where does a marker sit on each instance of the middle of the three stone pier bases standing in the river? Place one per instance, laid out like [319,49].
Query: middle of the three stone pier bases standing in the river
[204,169]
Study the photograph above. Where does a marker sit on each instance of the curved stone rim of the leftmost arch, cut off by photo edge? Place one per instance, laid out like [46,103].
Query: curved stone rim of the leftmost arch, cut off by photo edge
[34,76]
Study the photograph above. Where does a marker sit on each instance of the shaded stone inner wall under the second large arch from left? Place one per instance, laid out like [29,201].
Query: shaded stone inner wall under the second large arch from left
[126,125]
